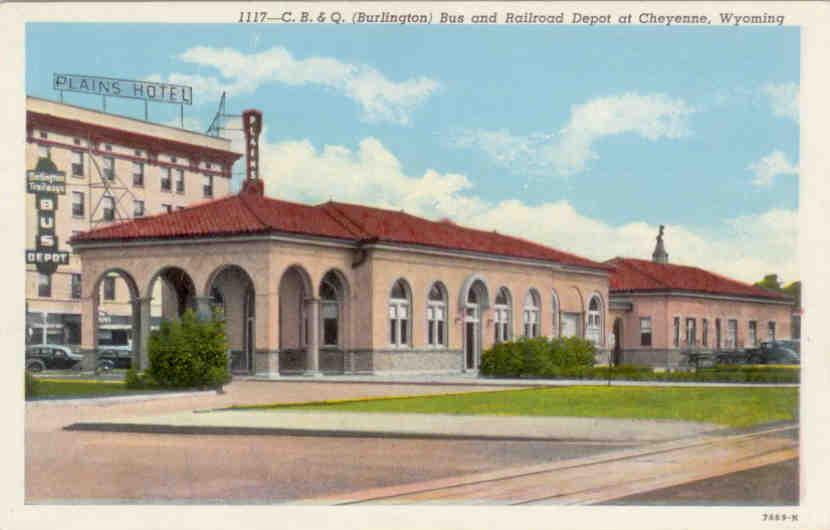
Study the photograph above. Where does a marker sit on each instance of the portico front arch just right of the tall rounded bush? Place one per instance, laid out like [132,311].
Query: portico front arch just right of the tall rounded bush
[233,299]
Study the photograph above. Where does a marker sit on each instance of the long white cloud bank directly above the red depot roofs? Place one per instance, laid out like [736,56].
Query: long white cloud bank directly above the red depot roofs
[745,247]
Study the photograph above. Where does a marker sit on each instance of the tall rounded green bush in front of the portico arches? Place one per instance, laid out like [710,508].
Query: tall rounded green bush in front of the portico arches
[189,353]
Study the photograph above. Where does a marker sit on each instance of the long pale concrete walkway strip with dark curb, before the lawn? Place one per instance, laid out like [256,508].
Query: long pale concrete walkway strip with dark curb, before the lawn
[448,426]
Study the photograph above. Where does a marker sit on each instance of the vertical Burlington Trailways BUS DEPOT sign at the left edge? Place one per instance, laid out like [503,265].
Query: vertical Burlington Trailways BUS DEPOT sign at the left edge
[46,183]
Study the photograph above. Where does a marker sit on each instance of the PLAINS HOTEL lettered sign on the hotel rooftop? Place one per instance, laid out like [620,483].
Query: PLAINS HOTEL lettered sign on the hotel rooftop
[123,88]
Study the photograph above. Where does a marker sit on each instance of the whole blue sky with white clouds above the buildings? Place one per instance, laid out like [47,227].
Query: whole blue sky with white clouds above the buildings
[585,139]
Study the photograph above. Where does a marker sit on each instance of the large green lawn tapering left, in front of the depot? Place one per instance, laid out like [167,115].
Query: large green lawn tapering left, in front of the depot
[735,407]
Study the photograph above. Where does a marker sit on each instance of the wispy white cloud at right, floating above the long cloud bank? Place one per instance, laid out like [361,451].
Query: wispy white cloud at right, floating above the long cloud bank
[568,151]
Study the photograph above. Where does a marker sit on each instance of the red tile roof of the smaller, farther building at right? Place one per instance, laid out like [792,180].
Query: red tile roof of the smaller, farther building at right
[637,275]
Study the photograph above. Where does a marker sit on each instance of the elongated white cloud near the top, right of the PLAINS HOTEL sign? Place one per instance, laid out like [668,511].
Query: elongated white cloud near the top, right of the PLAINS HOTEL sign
[380,99]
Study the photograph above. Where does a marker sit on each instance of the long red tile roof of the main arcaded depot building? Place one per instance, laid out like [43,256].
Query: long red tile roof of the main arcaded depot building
[249,213]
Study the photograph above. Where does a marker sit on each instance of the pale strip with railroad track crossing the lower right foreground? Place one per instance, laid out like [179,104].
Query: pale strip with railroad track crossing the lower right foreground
[596,478]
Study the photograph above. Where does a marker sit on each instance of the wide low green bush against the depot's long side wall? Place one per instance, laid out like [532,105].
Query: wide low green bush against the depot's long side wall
[538,357]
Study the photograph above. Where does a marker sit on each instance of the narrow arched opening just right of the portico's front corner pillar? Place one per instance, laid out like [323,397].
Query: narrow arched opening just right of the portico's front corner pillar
[294,292]
